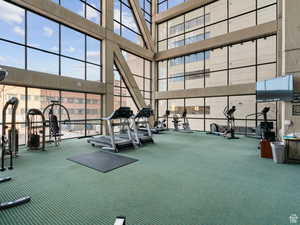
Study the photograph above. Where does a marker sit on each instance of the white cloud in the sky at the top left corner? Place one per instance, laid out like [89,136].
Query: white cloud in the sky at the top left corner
[10,13]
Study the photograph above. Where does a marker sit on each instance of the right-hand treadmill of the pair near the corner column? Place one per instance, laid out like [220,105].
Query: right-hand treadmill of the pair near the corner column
[141,135]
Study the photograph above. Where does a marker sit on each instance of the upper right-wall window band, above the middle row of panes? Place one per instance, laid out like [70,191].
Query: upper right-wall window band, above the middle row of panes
[212,20]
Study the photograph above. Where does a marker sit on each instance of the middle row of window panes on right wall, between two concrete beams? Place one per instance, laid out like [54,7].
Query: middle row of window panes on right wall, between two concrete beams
[242,63]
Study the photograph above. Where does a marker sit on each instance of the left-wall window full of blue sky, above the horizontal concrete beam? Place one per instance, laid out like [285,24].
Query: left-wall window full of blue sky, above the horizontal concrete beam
[49,47]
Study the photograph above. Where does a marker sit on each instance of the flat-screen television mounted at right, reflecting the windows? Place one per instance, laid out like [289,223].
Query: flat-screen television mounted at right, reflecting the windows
[277,89]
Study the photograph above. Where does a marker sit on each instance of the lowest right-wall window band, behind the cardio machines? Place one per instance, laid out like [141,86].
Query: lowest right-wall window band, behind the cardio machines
[202,112]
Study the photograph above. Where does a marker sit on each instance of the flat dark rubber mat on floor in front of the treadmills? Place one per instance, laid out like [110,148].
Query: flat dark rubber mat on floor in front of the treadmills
[102,161]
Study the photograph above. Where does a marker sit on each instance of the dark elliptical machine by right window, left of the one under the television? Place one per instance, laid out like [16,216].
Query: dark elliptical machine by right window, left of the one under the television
[229,130]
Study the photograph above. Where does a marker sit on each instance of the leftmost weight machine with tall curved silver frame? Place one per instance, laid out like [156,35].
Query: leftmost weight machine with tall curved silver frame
[10,140]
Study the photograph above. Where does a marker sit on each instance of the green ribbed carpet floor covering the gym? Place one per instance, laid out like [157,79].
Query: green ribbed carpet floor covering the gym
[183,179]
